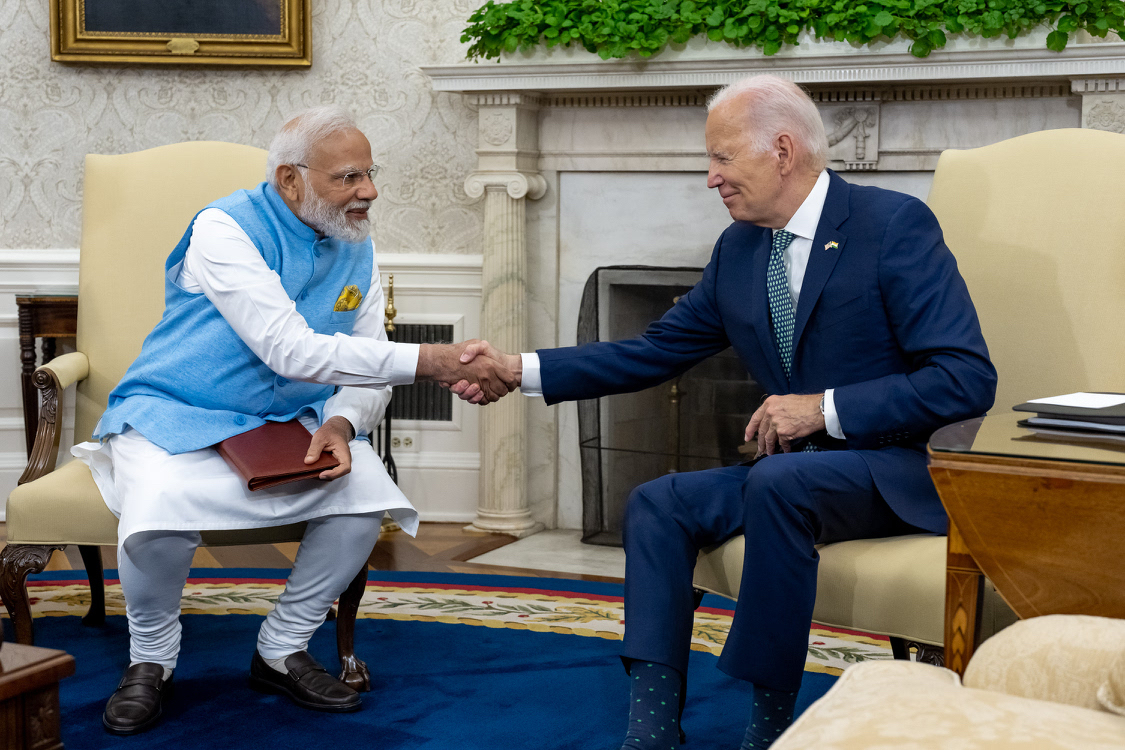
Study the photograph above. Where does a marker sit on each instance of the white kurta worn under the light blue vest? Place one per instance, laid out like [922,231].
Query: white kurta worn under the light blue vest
[150,490]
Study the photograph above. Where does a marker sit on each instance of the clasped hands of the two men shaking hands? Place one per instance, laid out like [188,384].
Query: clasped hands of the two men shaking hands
[474,371]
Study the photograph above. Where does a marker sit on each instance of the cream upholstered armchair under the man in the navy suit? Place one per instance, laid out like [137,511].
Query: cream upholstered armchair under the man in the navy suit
[1038,227]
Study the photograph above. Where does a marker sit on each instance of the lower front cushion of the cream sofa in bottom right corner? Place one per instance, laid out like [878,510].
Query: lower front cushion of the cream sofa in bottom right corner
[904,704]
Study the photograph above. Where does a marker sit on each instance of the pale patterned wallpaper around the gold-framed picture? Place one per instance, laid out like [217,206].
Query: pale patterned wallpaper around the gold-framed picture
[366,57]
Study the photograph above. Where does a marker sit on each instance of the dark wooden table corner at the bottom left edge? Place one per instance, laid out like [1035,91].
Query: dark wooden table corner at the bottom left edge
[30,697]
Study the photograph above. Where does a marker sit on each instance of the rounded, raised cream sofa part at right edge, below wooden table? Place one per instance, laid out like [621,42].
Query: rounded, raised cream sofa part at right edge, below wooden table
[1057,658]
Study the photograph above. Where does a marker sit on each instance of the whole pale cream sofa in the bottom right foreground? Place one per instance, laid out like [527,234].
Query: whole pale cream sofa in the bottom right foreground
[1047,683]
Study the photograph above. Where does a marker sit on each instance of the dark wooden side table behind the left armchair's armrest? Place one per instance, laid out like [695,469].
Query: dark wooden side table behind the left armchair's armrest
[48,318]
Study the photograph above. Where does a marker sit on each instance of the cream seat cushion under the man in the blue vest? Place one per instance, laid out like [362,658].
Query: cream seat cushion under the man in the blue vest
[66,508]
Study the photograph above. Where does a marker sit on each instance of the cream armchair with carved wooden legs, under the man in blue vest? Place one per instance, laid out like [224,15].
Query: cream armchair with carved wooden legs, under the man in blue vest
[136,209]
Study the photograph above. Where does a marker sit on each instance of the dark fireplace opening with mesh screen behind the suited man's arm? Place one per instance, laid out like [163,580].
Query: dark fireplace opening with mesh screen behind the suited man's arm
[690,423]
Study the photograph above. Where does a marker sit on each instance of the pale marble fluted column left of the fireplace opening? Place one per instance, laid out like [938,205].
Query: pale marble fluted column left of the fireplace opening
[508,155]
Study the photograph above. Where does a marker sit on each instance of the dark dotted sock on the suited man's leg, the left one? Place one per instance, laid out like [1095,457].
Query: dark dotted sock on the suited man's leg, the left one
[654,708]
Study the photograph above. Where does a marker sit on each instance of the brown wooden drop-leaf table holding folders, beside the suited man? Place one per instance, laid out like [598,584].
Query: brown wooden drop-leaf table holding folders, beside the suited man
[1043,520]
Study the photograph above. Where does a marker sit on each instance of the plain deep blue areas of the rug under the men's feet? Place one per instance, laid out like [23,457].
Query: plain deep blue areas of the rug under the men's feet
[436,685]
